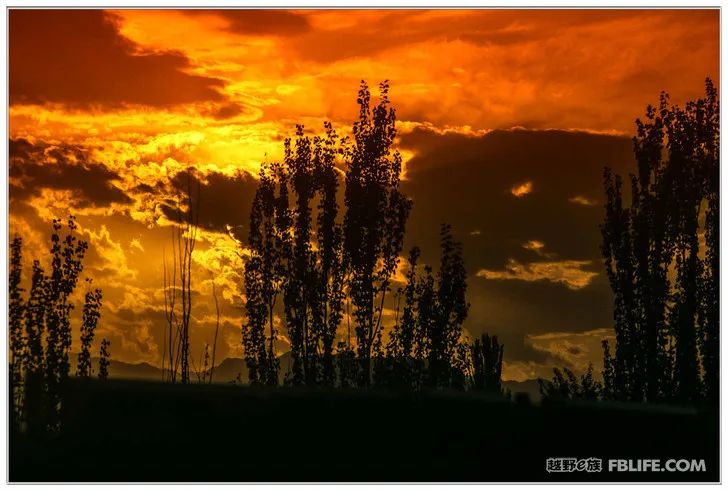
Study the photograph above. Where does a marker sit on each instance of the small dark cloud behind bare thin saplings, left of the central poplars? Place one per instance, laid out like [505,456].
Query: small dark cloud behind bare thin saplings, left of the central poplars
[222,201]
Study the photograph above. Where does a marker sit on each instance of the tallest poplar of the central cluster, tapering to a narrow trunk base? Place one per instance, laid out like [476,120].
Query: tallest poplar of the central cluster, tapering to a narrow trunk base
[375,217]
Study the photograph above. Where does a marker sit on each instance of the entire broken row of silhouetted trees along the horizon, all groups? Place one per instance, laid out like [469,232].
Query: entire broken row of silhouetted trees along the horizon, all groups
[323,275]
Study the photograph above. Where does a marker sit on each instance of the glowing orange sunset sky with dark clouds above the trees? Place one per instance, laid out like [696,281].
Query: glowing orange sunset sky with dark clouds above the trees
[506,119]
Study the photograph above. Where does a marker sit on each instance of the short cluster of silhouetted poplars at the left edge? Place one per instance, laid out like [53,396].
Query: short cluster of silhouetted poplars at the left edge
[39,322]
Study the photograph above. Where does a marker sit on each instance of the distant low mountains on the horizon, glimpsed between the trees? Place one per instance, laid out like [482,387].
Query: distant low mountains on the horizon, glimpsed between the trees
[233,370]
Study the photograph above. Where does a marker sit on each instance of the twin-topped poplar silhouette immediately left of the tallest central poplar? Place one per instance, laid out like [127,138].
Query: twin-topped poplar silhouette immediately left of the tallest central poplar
[314,284]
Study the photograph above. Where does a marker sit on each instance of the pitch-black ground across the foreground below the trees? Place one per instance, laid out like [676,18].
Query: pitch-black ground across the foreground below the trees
[144,431]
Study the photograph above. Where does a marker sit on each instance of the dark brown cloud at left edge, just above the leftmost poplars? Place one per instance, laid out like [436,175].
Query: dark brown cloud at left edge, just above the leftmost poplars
[35,167]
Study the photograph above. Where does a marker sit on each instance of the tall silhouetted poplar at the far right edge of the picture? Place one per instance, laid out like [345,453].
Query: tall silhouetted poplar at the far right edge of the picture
[693,144]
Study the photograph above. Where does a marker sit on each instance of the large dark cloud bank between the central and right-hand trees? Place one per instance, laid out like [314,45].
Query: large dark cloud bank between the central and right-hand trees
[468,181]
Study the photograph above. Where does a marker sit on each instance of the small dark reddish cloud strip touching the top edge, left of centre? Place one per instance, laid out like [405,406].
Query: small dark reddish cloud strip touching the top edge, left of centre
[256,21]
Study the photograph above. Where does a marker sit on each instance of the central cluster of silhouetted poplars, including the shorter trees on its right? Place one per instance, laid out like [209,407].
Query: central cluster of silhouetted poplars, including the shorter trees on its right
[326,274]
